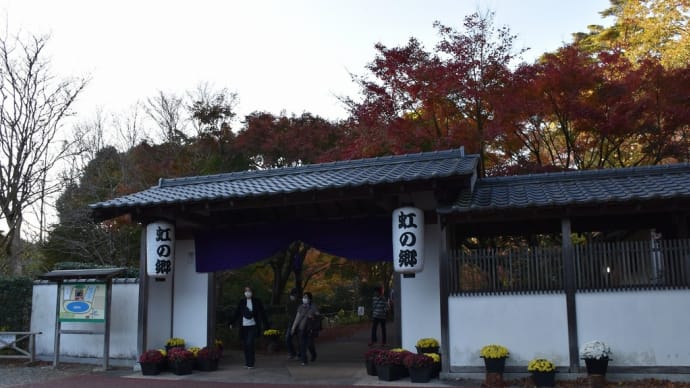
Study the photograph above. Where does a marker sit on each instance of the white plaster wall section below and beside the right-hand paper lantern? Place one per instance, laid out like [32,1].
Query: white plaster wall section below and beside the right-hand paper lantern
[420,296]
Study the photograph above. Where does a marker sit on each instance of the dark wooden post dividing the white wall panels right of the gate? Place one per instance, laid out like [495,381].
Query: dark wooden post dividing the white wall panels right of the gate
[570,288]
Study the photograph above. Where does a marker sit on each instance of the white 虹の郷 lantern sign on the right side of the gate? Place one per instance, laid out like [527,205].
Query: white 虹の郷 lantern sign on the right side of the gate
[408,240]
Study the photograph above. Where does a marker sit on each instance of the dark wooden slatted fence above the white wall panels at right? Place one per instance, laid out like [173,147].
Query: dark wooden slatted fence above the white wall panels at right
[655,264]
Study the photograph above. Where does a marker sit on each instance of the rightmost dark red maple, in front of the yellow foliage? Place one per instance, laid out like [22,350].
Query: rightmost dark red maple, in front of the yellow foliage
[575,110]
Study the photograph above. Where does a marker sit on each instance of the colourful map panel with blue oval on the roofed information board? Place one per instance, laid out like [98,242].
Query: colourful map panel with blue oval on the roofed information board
[82,302]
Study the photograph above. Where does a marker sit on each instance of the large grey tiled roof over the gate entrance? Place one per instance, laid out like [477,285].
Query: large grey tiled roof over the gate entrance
[341,174]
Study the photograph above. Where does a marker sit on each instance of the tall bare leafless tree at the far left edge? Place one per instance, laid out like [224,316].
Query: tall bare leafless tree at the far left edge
[33,105]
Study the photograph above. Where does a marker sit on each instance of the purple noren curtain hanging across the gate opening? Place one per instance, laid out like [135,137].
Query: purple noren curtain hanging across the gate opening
[365,239]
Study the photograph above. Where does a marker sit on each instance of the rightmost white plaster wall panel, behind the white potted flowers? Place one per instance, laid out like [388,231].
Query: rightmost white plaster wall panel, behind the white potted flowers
[643,328]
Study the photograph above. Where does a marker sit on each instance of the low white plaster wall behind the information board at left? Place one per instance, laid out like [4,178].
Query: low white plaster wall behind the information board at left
[123,325]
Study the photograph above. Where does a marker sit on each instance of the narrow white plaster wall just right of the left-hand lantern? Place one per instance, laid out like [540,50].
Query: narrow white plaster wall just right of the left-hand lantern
[190,302]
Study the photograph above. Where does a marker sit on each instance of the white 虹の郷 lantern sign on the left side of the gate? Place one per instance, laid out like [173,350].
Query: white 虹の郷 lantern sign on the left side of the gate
[160,248]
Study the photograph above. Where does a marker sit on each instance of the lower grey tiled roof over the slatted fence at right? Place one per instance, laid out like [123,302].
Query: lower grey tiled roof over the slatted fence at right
[575,188]
